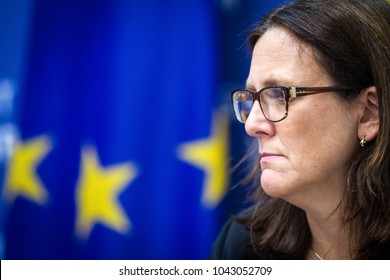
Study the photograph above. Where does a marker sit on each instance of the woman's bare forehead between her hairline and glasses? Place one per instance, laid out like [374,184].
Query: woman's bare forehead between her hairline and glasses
[278,58]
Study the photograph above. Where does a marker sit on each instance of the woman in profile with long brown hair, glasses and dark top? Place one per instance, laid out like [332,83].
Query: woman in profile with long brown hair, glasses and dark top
[317,100]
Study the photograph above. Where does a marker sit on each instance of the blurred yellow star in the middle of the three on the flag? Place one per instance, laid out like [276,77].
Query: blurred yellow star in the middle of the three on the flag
[97,194]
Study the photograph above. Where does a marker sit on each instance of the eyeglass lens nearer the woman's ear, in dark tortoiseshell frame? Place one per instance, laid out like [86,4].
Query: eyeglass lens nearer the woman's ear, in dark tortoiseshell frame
[273,103]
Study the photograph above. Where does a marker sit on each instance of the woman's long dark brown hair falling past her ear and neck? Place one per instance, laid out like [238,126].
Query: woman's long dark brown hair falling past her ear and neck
[351,41]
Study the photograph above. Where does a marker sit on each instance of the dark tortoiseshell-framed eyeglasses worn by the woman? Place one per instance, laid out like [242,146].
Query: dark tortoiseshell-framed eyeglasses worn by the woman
[273,100]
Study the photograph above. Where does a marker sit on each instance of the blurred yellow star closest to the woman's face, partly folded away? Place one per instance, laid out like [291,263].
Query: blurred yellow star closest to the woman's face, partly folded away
[211,155]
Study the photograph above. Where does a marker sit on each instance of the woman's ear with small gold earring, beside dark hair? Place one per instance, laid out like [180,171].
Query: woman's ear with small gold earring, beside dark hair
[369,121]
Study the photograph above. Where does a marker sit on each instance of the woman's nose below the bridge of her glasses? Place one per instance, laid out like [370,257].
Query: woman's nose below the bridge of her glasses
[257,125]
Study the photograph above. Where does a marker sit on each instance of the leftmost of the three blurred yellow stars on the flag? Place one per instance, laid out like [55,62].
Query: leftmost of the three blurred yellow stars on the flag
[22,178]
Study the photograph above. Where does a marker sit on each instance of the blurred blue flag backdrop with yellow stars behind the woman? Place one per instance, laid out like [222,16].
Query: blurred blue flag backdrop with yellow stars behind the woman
[117,138]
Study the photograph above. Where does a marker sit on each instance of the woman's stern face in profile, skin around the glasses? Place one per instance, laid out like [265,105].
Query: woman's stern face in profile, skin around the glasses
[304,158]
